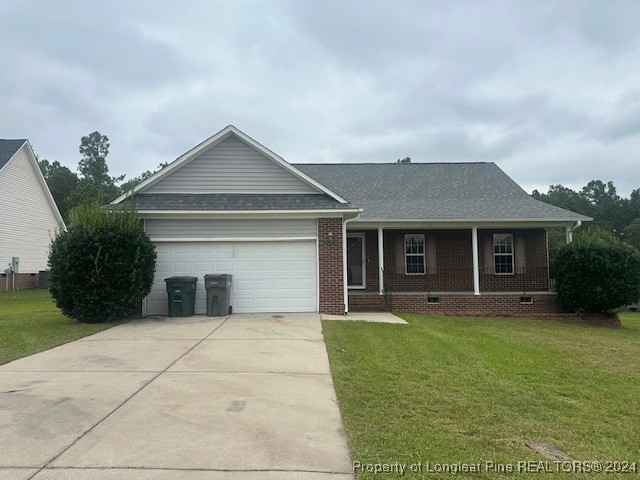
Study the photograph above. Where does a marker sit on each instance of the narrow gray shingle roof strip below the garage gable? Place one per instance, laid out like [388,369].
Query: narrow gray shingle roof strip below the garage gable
[221,202]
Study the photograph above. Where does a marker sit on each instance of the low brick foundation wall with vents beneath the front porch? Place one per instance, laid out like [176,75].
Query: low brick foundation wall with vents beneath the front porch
[490,304]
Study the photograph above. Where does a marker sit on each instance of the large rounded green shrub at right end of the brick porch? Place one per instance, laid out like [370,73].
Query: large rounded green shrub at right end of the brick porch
[597,273]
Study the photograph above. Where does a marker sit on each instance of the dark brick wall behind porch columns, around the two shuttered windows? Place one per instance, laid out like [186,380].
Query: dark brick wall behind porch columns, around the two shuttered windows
[454,262]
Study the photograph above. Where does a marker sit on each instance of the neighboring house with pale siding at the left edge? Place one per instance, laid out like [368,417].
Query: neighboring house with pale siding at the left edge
[29,216]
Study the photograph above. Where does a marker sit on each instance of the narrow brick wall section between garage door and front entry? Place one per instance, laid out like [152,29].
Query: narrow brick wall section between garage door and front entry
[330,270]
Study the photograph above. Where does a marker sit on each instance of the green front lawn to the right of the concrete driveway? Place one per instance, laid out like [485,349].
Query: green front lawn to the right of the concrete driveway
[452,389]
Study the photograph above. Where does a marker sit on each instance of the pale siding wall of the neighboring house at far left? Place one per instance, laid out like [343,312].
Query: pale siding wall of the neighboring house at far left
[27,221]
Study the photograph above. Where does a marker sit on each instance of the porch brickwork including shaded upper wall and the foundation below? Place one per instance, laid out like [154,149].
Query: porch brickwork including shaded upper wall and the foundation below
[452,280]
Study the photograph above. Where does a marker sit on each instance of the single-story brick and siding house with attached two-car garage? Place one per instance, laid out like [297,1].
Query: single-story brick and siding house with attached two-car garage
[442,237]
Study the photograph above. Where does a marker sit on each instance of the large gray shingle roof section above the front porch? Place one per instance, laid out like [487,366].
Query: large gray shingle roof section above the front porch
[433,191]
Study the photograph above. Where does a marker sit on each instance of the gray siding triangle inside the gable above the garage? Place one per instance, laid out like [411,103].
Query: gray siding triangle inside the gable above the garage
[231,166]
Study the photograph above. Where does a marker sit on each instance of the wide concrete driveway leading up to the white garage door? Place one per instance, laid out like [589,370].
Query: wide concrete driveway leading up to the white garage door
[246,396]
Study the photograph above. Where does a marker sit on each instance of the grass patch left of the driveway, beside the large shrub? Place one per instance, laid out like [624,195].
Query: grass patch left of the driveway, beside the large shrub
[30,323]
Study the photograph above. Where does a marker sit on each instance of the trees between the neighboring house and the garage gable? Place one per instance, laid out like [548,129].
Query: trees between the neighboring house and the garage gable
[92,184]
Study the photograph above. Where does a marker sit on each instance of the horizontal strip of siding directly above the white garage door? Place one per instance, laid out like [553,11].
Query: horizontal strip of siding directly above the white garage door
[211,229]
